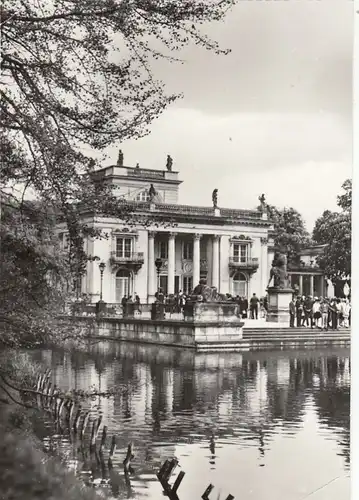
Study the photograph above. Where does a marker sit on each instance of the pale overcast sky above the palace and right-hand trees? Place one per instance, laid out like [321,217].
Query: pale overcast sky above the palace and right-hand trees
[272,117]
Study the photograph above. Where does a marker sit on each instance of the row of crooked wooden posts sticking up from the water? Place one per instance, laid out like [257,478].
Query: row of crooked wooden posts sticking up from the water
[60,405]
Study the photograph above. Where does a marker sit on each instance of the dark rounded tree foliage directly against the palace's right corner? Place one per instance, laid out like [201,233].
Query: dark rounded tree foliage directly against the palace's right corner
[290,235]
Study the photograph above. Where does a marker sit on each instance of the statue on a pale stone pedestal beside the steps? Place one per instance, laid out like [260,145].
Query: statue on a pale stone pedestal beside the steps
[279,293]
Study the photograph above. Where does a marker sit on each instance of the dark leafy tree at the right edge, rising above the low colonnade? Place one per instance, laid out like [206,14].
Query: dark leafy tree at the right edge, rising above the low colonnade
[333,229]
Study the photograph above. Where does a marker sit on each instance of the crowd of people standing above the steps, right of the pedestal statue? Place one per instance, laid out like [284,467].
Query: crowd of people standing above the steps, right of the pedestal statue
[319,312]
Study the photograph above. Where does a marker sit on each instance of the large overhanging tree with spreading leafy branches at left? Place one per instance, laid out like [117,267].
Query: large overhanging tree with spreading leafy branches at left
[74,80]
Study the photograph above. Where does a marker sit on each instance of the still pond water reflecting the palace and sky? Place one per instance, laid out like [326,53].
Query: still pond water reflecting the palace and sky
[261,426]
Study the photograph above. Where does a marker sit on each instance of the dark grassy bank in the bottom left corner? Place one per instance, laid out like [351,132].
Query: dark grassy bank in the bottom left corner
[26,471]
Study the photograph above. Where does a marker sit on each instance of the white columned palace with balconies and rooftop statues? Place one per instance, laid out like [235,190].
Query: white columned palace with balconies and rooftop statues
[176,245]
